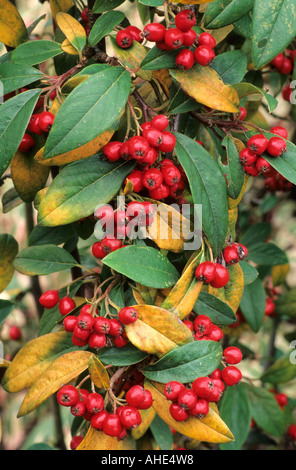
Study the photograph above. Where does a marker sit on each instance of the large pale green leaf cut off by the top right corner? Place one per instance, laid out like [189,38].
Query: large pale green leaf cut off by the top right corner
[274,27]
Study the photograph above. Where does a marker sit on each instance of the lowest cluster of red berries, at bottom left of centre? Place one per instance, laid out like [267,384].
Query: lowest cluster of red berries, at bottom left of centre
[91,407]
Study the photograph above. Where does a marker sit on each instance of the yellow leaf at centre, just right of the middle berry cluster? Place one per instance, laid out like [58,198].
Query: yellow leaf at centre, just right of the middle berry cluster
[169,228]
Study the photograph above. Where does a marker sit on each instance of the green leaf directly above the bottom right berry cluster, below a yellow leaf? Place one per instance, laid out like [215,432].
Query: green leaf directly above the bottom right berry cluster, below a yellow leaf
[186,363]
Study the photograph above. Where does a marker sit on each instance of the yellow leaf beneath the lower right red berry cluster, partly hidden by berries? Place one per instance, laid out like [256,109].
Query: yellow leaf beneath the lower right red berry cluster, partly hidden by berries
[209,429]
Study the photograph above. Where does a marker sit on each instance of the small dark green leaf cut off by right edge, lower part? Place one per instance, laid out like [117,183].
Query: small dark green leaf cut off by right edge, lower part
[282,371]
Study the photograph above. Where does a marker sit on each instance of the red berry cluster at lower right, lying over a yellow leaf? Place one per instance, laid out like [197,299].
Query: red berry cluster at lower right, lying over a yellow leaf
[194,399]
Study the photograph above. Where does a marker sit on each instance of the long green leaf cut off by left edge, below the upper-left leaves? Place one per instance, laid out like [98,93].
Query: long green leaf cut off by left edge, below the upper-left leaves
[14,117]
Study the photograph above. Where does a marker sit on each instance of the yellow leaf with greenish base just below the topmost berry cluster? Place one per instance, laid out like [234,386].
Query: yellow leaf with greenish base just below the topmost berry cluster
[206,87]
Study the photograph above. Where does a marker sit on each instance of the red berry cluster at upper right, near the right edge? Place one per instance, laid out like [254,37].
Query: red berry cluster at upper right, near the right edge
[251,156]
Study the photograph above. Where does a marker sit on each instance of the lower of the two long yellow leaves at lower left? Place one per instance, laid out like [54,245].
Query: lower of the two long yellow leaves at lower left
[64,369]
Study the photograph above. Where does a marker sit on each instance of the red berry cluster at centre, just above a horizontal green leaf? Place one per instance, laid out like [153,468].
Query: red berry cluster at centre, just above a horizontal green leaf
[119,224]
